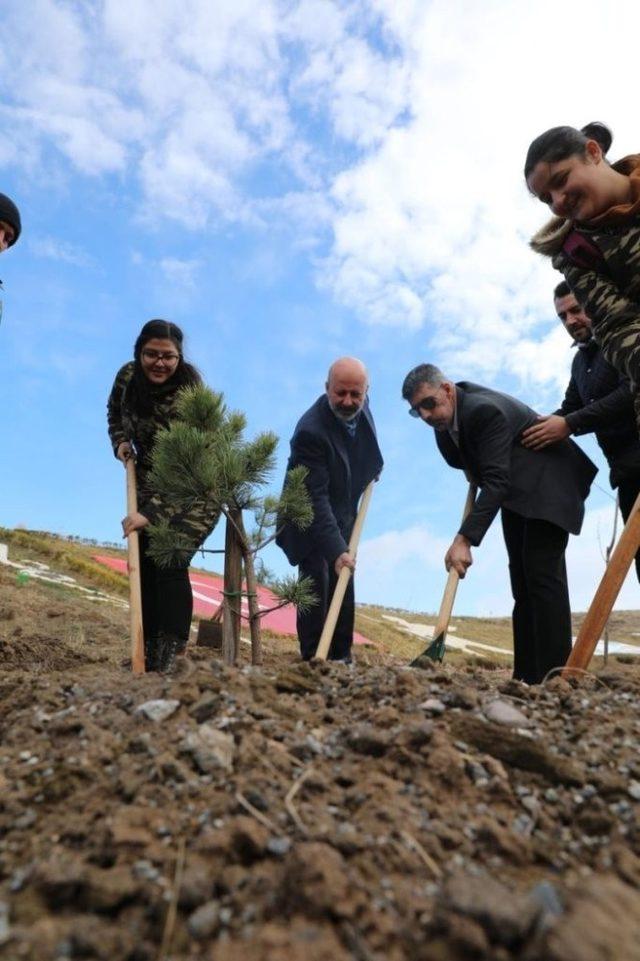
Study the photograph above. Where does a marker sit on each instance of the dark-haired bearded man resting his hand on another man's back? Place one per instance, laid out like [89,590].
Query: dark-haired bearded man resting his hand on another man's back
[598,400]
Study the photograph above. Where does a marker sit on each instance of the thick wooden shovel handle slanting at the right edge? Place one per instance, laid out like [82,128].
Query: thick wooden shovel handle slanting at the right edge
[608,590]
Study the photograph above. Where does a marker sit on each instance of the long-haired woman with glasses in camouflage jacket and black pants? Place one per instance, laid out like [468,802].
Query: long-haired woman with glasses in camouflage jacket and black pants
[142,402]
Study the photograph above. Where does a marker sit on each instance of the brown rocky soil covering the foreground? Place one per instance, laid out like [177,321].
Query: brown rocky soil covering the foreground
[306,812]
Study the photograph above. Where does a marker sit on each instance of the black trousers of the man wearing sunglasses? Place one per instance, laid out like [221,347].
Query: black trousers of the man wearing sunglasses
[541,613]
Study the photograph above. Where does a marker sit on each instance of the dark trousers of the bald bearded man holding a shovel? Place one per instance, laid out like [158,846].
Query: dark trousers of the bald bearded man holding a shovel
[310,623]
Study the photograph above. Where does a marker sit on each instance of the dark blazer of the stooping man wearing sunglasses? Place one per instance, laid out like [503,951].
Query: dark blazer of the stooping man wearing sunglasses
[551,484]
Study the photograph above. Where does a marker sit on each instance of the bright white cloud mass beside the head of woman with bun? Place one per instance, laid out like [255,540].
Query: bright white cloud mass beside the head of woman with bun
[431,225]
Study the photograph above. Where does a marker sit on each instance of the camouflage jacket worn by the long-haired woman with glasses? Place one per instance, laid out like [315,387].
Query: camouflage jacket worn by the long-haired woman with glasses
[126,424]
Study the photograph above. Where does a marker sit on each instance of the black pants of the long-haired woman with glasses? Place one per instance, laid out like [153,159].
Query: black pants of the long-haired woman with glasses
[167,600]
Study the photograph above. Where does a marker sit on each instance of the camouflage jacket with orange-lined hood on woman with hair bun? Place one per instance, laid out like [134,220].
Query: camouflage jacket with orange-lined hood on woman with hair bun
[601,264]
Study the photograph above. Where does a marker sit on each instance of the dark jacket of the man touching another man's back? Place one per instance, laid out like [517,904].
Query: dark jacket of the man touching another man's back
[598,399]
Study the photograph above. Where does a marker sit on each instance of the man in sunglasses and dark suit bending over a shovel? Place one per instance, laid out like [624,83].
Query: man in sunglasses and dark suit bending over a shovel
[540,495]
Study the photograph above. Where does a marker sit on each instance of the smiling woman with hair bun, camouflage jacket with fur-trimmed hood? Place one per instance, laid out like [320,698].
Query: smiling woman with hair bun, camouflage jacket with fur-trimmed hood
[594,237]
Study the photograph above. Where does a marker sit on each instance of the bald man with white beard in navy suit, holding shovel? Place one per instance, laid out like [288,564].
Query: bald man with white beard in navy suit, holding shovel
[336,441]
